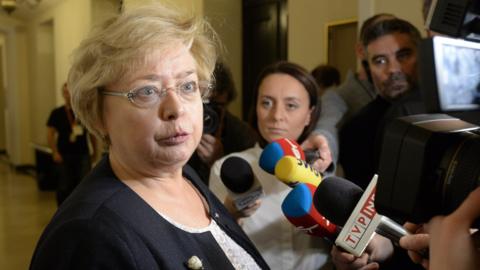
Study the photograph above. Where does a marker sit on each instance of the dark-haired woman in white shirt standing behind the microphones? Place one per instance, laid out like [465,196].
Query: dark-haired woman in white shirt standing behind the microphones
[285,107]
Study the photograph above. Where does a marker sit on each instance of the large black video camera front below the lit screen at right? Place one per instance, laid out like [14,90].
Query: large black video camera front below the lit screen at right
[430,164]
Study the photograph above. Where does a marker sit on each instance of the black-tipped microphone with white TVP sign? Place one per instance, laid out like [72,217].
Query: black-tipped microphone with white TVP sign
[343,203]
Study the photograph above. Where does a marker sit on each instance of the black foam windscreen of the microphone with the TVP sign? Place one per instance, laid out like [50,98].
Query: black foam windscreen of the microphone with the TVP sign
[336,198]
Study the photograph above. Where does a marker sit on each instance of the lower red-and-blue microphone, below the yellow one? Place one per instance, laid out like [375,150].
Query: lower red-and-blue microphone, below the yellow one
[299,210]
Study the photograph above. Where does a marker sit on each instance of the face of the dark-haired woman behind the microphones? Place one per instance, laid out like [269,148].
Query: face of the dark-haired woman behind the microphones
[282,107]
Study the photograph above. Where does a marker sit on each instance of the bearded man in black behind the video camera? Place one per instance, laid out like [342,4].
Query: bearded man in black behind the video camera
[391,51]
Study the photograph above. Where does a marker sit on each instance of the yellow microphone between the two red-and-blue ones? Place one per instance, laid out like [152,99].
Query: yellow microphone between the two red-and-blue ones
[292,171]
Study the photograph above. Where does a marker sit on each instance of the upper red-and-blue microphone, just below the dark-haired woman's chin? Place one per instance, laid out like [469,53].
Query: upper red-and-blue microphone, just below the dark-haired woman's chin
[277,149]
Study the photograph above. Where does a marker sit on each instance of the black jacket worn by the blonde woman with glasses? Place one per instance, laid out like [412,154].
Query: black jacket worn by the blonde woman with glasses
[106,225]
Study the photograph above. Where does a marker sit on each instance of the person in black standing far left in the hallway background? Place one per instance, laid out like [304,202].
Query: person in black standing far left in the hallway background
[67,138]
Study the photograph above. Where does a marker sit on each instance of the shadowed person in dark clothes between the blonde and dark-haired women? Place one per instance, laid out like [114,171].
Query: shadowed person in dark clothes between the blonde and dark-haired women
[224,133]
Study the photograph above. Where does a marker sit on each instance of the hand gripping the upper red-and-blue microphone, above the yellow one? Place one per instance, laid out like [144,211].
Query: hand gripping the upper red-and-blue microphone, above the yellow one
[320,143]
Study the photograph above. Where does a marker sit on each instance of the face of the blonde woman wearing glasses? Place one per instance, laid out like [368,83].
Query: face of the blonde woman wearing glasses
[163,135]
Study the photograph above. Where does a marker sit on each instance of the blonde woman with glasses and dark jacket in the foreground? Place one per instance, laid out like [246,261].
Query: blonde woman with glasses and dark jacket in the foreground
[137,82]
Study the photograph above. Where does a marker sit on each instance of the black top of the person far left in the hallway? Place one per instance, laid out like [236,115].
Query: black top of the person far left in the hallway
[58,120]
